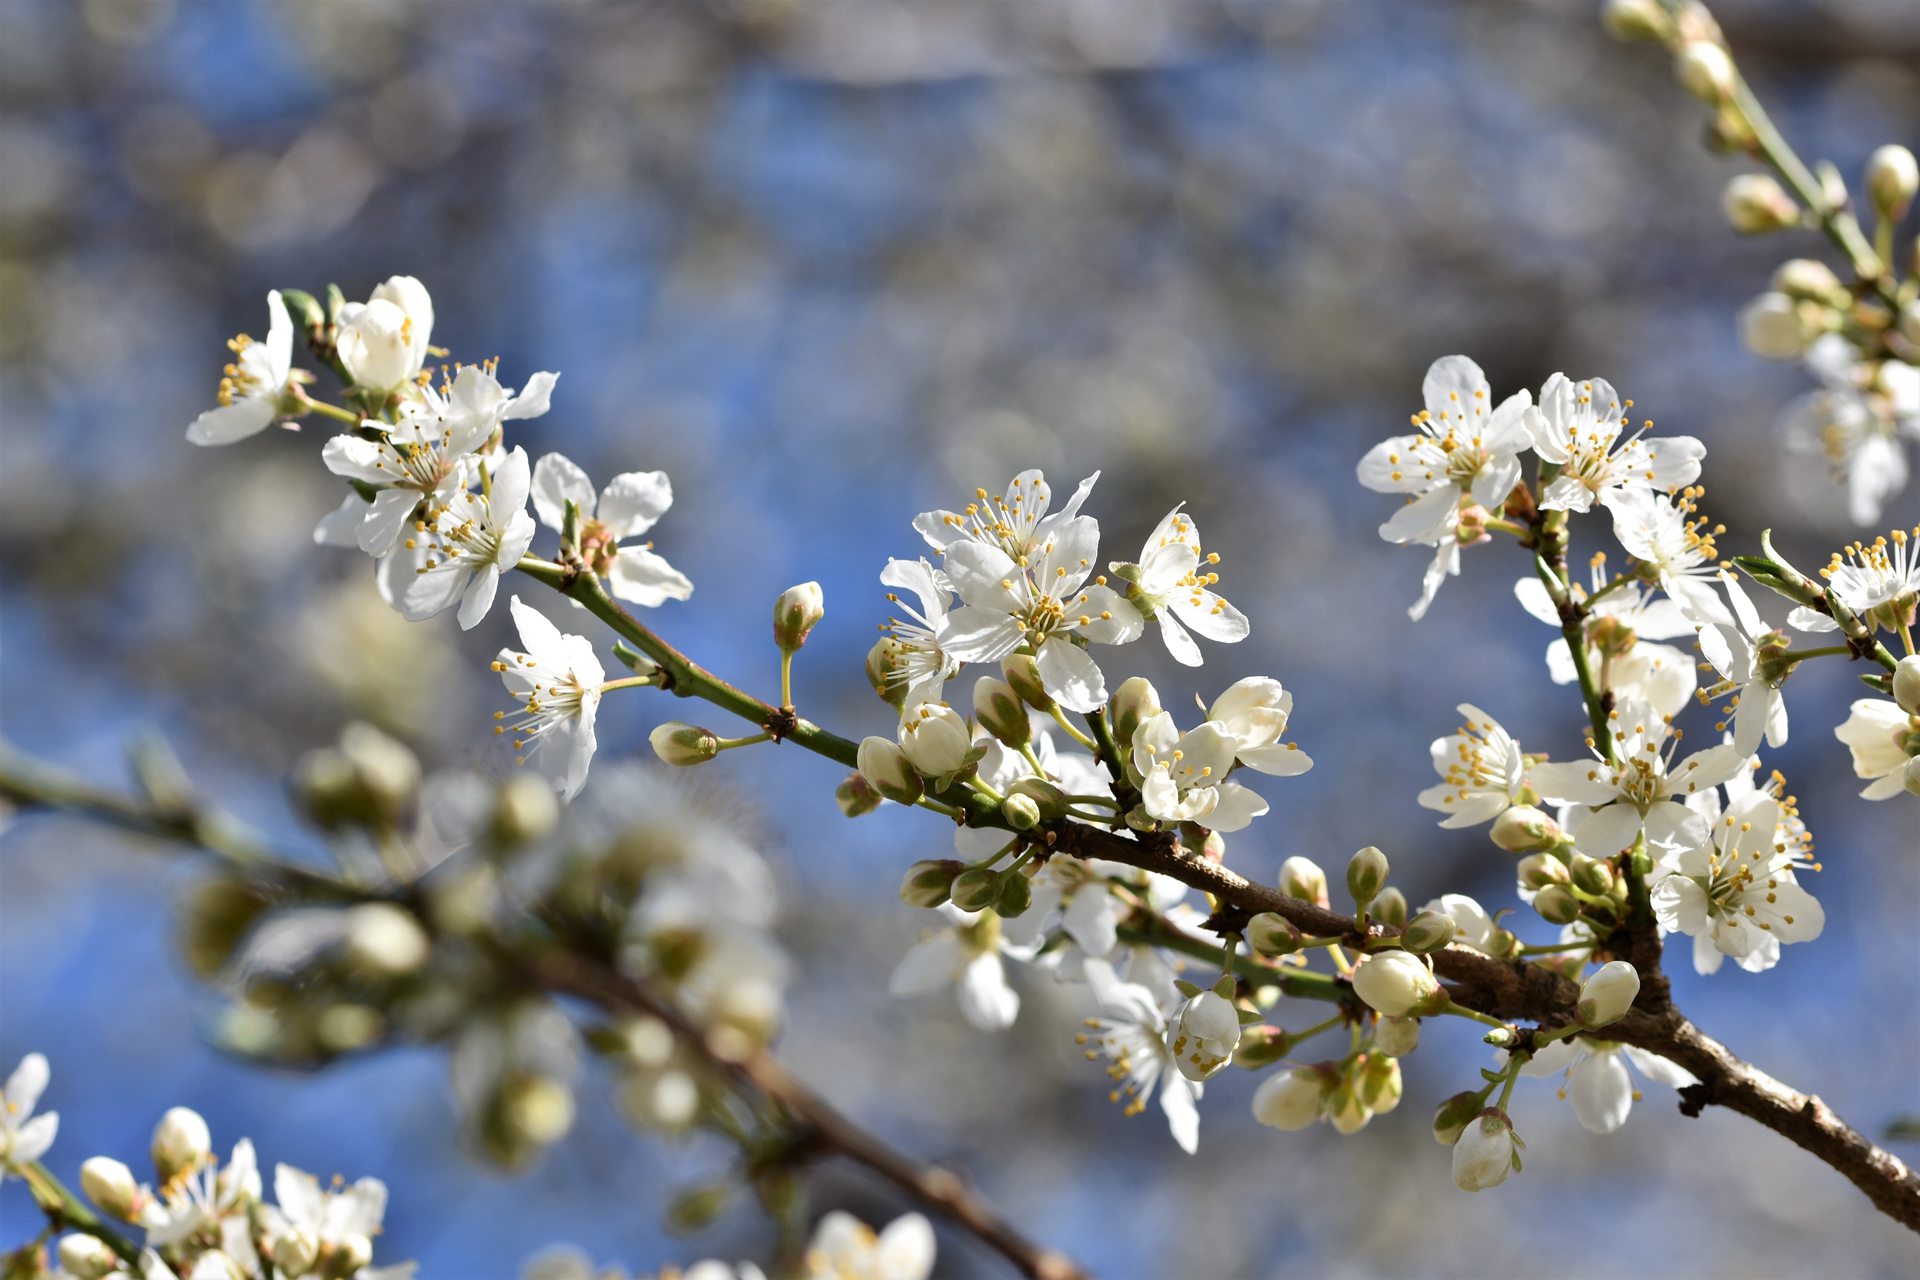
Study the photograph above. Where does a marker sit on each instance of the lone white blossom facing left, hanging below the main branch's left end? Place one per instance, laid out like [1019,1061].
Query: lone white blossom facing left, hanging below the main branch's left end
[558,686]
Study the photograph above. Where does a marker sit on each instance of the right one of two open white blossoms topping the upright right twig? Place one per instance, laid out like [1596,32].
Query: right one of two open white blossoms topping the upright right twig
[1577,429]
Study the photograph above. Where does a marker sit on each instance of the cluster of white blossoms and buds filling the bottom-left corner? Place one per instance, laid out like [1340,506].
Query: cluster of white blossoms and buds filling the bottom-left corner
[203,1220]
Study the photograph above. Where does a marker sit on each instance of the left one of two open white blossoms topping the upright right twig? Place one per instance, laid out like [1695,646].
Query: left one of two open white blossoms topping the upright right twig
[1464,444]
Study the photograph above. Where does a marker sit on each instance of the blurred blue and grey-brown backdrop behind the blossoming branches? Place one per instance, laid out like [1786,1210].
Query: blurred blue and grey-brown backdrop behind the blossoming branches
[832,264]
